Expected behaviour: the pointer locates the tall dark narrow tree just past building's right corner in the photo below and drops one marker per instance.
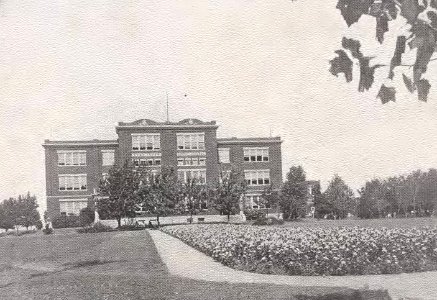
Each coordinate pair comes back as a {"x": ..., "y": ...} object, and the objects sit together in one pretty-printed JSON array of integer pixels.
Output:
[{"x": 293, "y": 194}]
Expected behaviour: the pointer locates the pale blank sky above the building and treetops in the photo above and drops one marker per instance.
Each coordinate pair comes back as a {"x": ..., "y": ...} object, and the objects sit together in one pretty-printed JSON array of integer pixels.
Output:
[{"x": 72, "y": 69}]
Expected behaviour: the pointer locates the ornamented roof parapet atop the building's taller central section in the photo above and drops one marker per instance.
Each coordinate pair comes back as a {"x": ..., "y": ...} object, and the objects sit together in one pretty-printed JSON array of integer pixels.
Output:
[{"x": 185, "y": 123}]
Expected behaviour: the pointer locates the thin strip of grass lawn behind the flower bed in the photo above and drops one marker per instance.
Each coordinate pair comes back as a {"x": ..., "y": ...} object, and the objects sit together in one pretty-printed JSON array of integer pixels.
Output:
[{"x": 375, "y": 223}]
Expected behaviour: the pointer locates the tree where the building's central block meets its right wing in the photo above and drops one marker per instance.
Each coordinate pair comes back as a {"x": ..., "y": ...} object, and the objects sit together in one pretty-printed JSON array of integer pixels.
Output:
[{"x": 230, "y": 189}]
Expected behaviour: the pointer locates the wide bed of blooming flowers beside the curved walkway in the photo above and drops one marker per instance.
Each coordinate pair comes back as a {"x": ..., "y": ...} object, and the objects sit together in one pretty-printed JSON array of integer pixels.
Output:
[{"x": 314, "y": 251}]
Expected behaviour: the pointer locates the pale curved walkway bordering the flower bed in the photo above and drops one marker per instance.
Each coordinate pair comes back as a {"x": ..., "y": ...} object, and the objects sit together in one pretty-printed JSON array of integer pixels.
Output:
[{"x": 185, "y": 261}]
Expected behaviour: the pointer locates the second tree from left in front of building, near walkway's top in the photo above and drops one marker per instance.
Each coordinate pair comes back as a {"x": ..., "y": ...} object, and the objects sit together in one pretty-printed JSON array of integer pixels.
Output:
[{"x": 161, "y": 193}]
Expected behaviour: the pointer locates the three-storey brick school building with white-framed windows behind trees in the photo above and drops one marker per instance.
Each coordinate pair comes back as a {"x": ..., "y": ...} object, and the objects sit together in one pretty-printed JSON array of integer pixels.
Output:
[{"x": 75, "y": 168}]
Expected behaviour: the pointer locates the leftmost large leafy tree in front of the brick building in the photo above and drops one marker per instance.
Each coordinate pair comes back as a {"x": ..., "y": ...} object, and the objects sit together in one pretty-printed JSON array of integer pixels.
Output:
[{"x": 118, "y": 192}]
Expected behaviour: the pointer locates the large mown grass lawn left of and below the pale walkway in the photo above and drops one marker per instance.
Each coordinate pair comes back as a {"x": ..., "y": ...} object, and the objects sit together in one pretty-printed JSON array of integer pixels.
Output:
[{"x": 118, "y": 265}]
